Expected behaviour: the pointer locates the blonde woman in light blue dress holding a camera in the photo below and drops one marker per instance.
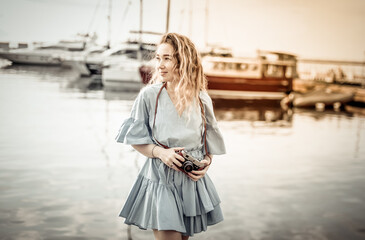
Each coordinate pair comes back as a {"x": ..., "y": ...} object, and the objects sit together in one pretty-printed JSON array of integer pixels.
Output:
[{"x": 173, "y": 113}]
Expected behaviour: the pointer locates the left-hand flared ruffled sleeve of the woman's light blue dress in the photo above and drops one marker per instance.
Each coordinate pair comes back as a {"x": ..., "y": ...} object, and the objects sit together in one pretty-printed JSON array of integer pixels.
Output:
[{"x": 135, "y": 129}]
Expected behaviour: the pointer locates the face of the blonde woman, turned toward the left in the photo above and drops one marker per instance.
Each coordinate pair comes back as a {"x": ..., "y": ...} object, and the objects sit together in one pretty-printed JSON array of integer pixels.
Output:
[{"x": 166, "y": 62}]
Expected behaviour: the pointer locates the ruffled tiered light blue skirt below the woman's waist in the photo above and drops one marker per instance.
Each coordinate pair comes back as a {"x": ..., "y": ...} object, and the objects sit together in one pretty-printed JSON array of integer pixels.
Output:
[{"x": 165, "y": 199}]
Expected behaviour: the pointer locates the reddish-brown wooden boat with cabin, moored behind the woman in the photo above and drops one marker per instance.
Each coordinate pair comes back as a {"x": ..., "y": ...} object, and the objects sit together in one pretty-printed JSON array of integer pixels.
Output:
[{"x": 268, "y": 76}]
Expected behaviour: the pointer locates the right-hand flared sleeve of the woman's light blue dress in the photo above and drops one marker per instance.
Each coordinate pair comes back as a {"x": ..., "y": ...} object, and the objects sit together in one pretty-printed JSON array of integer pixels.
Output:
[{"x": 215, "y": 142}]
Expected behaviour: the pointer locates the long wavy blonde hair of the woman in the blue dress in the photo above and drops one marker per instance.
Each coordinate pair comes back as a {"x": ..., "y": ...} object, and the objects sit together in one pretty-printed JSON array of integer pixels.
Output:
[{"x": 191, "y": 78}]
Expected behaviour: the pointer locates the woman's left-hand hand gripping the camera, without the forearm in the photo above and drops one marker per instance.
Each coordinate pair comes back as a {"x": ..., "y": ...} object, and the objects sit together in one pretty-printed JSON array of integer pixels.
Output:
[{"x": 170, "y": 157}]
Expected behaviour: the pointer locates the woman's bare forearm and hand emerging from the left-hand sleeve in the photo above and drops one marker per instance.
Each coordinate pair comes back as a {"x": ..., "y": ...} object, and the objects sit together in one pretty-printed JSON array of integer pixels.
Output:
[{"x": 167, "y": 156}]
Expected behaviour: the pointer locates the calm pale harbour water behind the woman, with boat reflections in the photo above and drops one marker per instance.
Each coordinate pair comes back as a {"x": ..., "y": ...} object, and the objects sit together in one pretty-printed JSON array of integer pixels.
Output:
[{"x": 287, "y": 174}]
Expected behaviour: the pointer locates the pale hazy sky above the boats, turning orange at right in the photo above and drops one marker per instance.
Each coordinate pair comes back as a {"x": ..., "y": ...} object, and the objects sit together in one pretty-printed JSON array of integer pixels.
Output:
[{"x": 325, "y": 29}]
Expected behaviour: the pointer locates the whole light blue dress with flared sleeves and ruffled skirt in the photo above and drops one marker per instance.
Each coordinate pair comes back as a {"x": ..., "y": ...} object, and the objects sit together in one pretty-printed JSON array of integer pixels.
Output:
[{"x": 161, "y": 197}]
